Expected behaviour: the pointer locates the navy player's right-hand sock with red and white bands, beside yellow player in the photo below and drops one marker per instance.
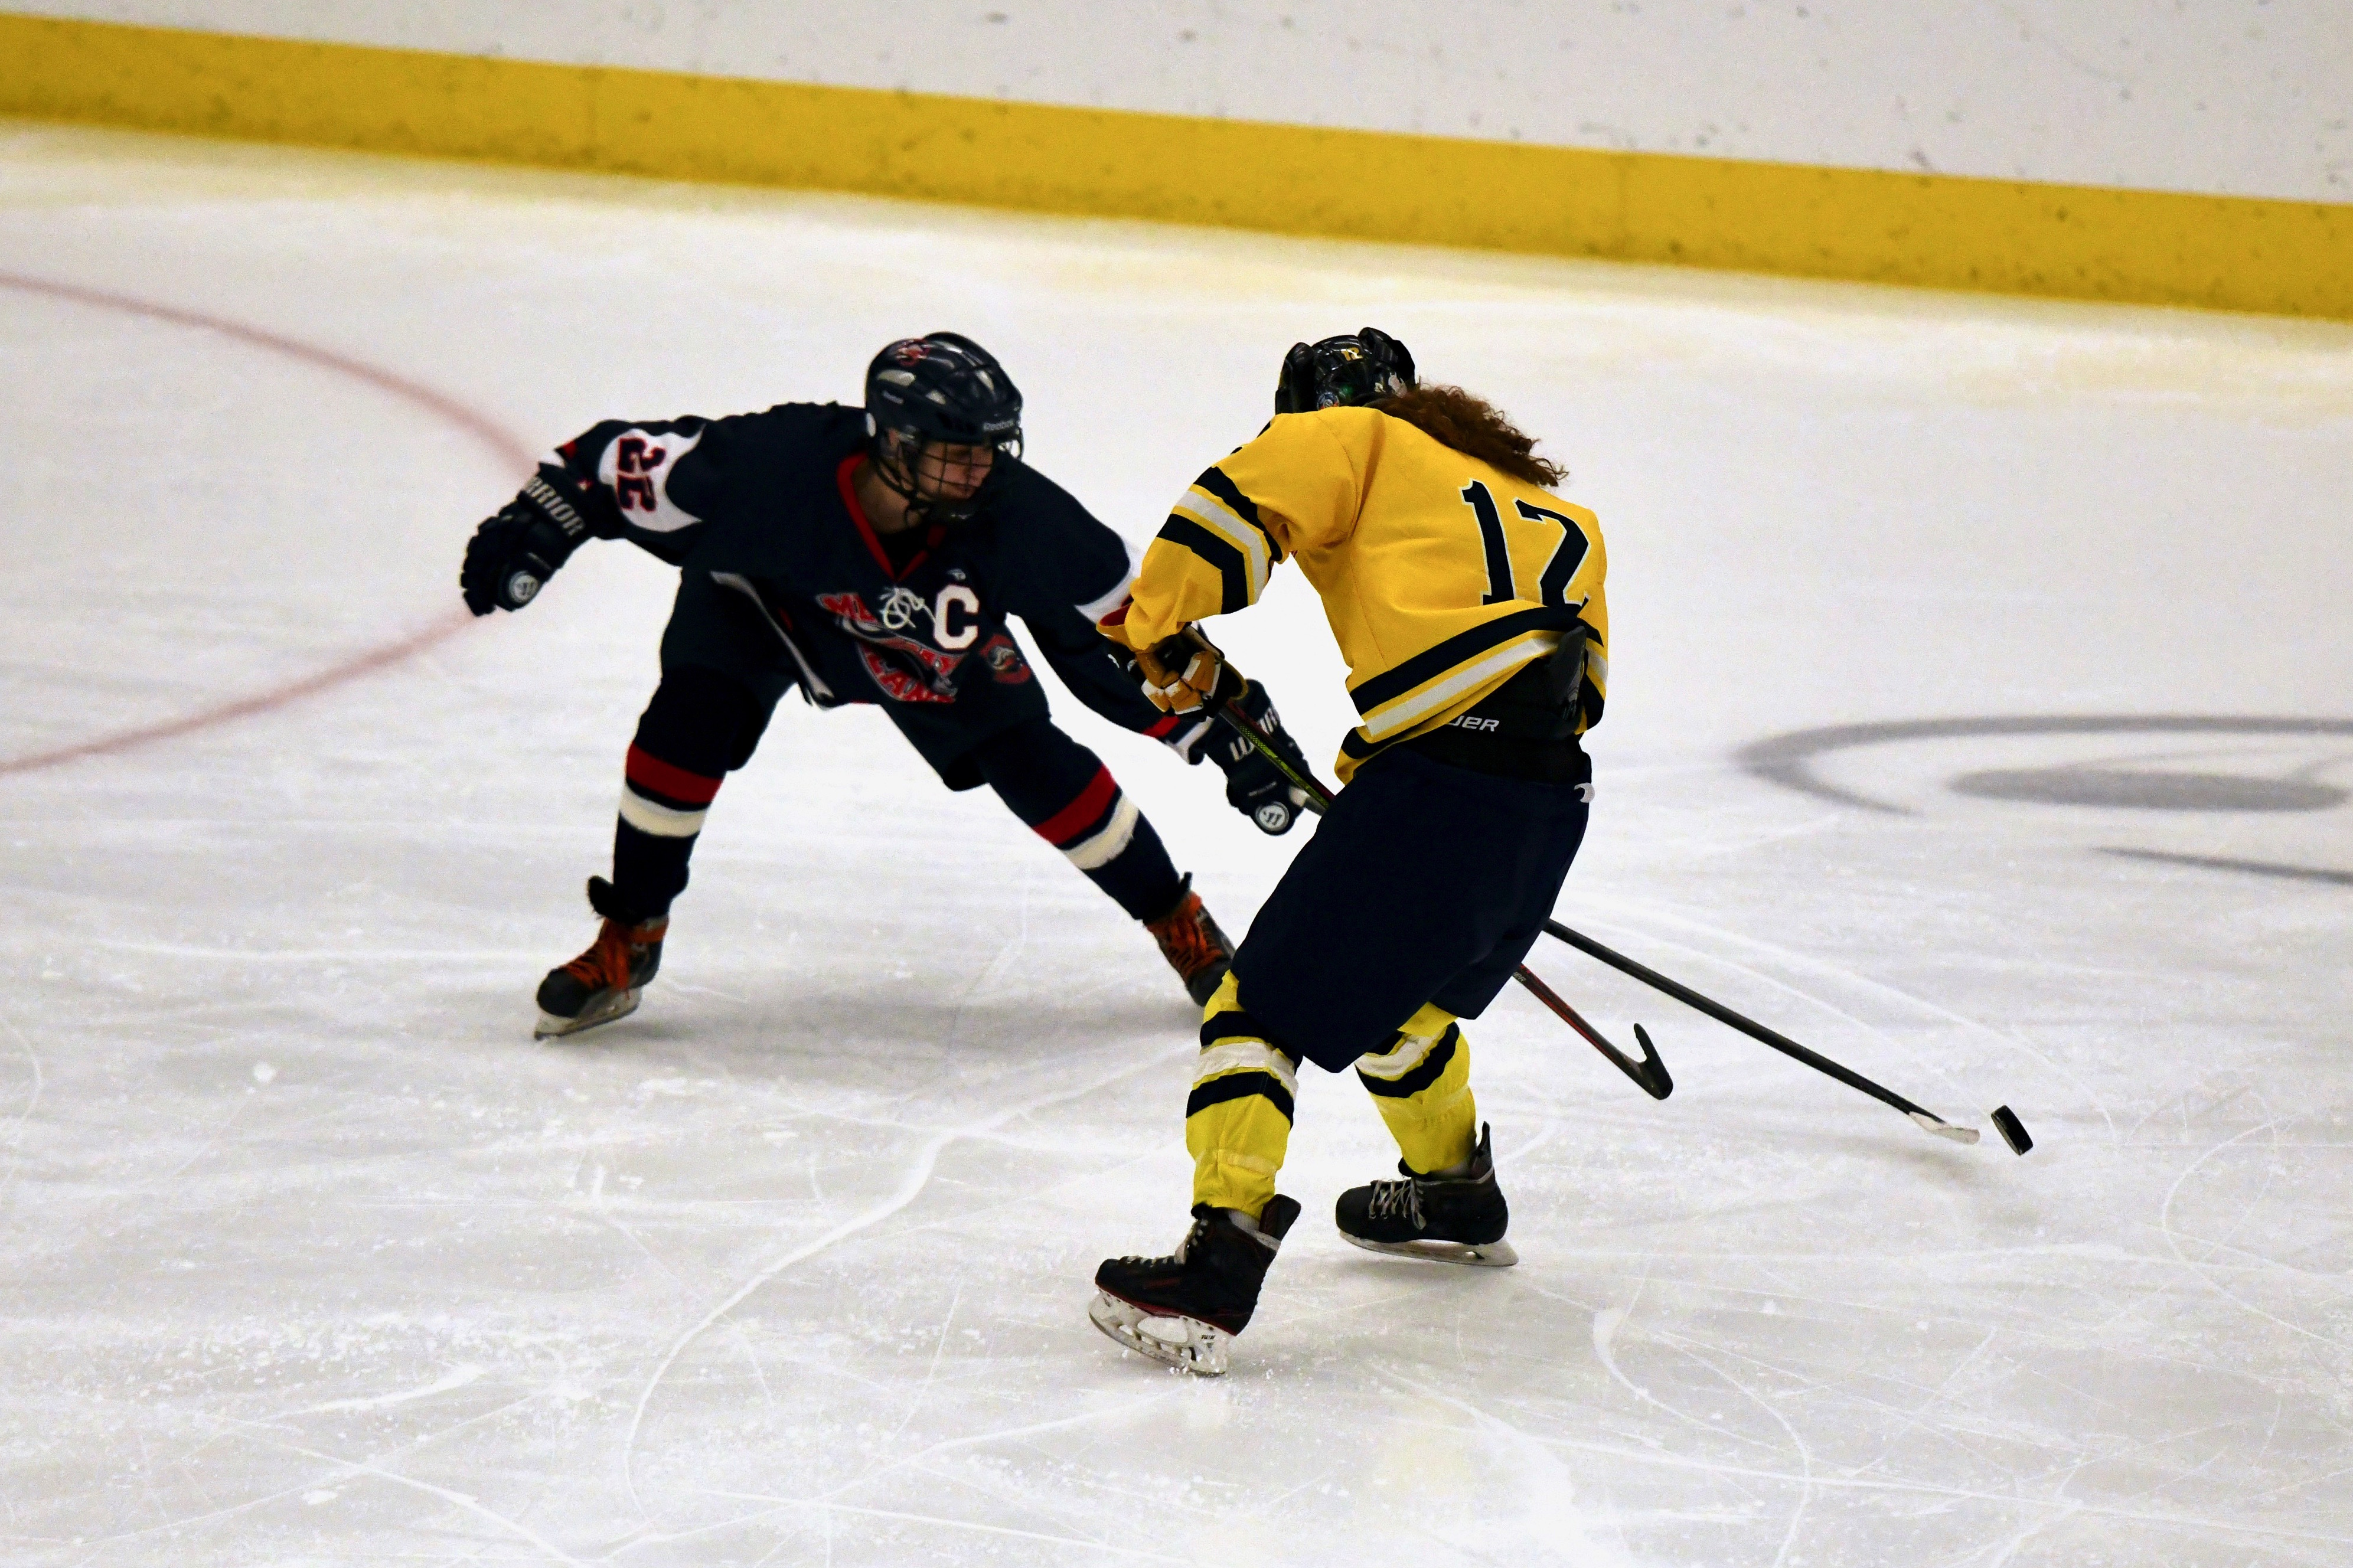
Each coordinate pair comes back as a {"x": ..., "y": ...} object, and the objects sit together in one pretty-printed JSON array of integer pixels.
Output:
[{"x": 1069, "y": 799}]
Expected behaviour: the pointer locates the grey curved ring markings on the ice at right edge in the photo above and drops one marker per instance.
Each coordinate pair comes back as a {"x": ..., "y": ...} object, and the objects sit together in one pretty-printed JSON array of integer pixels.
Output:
[{"x": 2133, "y": 783}]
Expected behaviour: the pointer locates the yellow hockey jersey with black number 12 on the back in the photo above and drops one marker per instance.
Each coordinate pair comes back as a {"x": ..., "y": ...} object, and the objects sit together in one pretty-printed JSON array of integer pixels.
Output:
[{"x": 1439, "y": 573}]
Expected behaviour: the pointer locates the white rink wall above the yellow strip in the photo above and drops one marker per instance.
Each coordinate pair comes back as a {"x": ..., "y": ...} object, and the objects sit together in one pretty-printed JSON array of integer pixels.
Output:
[{"x": 2225, "y": 98}]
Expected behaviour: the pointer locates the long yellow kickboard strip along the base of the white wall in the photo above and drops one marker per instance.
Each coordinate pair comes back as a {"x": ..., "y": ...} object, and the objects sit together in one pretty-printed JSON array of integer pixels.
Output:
[{"x": 1773, "y": 218}]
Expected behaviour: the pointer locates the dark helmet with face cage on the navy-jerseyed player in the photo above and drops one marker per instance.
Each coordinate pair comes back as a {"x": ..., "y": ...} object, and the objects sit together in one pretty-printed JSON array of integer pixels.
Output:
[{"x": 940, "y": 390}]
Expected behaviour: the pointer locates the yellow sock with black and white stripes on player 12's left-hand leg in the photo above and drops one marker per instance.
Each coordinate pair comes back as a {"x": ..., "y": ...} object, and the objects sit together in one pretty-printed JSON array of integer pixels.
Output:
[{"x": 1239, "y": 1119}]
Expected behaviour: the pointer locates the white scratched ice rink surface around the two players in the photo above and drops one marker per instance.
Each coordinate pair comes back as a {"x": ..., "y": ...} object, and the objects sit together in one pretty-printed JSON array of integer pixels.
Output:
[{"x": 312, "y": 1256}]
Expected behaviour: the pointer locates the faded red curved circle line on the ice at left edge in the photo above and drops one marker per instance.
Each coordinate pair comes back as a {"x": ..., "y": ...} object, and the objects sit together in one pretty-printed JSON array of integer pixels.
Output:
[{"x": 502, "y": 444}]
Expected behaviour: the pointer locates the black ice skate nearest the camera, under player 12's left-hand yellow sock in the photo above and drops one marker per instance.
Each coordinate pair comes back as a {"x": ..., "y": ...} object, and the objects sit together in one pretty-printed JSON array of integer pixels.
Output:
[{"x": 1187, "y": 1308}]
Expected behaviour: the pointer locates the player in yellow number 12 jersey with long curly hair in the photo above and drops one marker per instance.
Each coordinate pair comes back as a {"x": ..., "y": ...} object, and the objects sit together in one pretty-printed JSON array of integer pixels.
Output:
[{"x": 1469, "y": 604}]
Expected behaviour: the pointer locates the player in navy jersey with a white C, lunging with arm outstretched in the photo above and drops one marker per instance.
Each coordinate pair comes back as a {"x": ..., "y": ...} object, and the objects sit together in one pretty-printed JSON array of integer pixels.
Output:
[{"x": 860, "y": 557}]
